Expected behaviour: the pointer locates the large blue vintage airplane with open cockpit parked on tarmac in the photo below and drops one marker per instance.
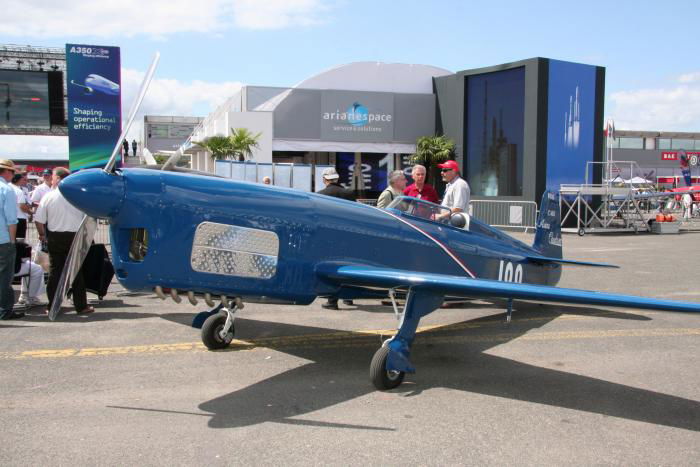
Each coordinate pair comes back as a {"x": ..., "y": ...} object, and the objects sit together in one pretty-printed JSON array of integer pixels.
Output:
[{"x": 206, "y": 236}]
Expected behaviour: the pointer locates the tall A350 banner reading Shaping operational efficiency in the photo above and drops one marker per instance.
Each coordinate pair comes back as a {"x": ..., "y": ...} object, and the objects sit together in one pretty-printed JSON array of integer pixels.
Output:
[{"x": 94, "y": 104}]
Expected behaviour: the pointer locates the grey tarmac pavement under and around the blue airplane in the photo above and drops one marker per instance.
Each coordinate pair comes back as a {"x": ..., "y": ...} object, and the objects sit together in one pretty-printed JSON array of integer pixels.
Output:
[{"x": 132, "y": 383}]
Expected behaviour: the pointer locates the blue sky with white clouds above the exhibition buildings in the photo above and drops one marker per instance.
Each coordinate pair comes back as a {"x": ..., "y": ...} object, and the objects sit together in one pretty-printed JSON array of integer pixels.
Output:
[{"x": 210, "y": 47}]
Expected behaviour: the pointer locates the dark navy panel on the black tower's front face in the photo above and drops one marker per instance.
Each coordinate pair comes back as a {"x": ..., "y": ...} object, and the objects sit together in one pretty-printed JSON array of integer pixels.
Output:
[{"x": 495, "y": 104}]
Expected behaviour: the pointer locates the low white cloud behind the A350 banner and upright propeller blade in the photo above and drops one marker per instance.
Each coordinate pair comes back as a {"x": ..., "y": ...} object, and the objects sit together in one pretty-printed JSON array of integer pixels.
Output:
[{"x": 164, "y": 97}]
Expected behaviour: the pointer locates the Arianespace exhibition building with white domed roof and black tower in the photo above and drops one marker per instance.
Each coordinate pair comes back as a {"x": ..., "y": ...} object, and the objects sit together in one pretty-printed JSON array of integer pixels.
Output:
[{"x": 519, "y": 127}]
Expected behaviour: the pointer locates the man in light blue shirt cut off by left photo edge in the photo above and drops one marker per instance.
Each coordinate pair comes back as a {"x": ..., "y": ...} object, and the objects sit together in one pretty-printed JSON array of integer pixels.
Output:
[{"x": 8, "y": 230}]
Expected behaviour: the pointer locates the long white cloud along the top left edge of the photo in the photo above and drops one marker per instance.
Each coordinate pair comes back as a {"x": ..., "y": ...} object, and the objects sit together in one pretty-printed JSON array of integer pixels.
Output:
[{"x": 154, "y": 18}]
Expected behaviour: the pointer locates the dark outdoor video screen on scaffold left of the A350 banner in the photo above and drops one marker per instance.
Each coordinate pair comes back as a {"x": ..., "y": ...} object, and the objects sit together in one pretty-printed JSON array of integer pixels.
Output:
[{"x": 24, "y": 99}]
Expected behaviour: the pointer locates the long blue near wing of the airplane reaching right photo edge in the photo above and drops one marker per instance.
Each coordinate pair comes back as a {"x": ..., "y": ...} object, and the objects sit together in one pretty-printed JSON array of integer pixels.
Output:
[{"x": 467, "y": 287}]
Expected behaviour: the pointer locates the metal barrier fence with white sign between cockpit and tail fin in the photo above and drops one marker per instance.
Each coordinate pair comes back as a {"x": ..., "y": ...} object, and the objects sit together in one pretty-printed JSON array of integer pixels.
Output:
[{"x": 509, "y": 214}]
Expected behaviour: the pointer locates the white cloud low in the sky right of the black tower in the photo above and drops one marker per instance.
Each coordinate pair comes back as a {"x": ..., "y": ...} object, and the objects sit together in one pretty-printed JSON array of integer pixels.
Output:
[{"x": 673, "y": 108}]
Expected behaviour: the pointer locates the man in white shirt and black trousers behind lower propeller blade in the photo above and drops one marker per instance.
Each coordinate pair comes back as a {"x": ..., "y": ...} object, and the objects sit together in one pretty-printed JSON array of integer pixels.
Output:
[{"x": 57, "y": 221}]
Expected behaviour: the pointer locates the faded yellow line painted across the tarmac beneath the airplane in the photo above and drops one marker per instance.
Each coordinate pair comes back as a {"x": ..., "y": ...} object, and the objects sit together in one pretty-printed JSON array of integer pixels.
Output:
[{"x": 347, "y": 339}]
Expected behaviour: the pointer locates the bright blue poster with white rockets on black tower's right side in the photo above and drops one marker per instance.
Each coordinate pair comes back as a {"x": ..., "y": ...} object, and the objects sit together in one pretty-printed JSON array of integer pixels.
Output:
[{"x": 570, "y": 118}]
